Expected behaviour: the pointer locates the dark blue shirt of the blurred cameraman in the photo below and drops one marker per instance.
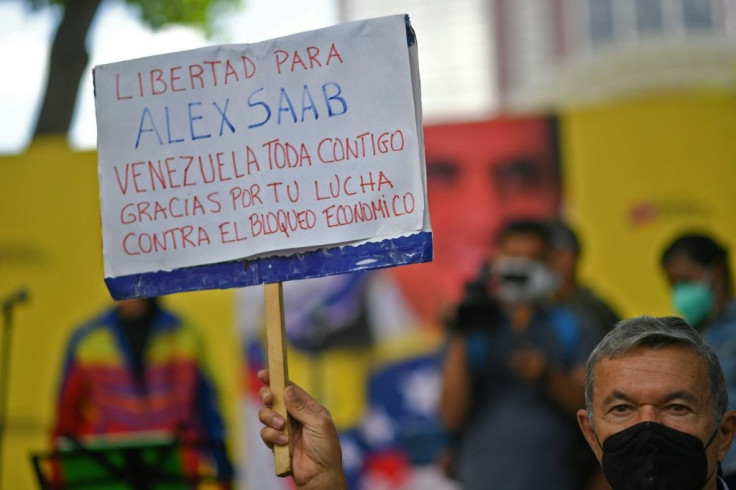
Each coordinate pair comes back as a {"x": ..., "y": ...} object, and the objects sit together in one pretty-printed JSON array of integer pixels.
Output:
[{"x": 517, "y": 438}]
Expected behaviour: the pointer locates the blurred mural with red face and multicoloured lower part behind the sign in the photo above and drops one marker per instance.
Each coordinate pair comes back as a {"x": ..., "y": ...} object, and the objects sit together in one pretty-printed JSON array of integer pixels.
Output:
[{"x": 480, "y": 175}]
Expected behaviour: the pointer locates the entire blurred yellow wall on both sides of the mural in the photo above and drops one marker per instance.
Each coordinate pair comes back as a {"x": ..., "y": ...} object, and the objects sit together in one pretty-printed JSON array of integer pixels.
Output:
[{"x": 671, "y": 155}]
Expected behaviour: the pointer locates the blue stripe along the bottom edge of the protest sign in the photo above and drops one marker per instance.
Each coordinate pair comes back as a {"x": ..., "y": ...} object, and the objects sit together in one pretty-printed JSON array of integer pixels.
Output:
[{"x": 404, "y": 250}]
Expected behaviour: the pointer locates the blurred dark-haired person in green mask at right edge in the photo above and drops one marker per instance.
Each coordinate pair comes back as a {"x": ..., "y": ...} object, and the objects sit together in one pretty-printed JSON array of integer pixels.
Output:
[{"x": 698, "y": 272}]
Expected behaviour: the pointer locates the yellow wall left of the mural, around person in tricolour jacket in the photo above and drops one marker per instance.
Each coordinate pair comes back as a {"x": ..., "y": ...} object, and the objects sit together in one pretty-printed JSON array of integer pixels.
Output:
[{"x": 50, "y": 243}]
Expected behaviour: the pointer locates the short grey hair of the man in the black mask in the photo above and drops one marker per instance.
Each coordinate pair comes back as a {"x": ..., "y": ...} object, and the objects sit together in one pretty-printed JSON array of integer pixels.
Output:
[{"x": 655, "y": 333}]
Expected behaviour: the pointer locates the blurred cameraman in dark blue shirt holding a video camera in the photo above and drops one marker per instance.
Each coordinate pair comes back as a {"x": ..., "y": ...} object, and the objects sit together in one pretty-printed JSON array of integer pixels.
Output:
[{"x": 514, "y": 371}]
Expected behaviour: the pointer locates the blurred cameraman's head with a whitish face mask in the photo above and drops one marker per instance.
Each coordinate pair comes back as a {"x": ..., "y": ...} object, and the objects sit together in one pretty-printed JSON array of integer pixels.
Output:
[{"x": 519, "y": 273}]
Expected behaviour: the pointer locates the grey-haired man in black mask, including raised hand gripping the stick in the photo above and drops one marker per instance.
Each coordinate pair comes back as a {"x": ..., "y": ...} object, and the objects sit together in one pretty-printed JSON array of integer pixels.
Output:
[{"x": 656, "y": 413}]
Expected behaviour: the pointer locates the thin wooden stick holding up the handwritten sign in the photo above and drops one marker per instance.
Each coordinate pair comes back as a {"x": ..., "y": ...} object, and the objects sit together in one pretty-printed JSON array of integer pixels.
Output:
[{"x": 277, "y": 368}]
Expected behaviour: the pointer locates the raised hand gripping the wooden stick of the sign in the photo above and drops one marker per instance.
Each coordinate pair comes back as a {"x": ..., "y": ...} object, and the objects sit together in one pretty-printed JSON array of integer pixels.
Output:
[{"x": 316, "y": 460}]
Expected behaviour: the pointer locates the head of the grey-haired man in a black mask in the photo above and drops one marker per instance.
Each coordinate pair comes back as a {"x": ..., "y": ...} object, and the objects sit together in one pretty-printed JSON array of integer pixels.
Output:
[{"x": 653, "y": 389}]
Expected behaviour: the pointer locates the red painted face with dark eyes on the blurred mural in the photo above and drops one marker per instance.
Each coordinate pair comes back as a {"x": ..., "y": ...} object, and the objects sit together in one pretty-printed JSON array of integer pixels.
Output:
[{"x": 479, "y": 177}]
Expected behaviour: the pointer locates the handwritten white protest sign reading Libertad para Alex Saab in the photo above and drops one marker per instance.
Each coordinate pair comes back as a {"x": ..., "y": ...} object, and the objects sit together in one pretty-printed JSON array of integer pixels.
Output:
[{"x": 236, "y": 165}]
